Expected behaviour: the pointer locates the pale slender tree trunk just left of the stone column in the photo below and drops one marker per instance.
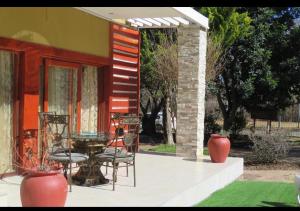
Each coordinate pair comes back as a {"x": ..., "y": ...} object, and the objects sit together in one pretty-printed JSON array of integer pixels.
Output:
[{"x": 168, "y": 123}]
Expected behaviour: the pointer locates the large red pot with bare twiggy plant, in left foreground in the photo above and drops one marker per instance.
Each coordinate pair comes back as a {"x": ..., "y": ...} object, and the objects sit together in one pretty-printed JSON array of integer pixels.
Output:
[{"x": 43, "y": 184}]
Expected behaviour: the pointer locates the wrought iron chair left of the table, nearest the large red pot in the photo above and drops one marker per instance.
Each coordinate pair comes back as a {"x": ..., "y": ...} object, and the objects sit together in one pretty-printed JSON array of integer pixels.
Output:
[{"x": 57, "y": 144}]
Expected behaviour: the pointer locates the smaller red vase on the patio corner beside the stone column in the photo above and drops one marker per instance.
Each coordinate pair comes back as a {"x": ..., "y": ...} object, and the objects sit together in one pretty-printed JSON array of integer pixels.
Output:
[{"x": 218, "y": 148}]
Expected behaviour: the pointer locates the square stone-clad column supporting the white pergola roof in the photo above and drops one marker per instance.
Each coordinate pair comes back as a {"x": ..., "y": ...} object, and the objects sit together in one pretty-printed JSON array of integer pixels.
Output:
[{"x": 192, "y": 42}]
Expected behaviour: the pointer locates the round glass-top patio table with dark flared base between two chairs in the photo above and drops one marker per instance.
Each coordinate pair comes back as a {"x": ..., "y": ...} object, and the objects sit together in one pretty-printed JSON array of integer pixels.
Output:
[{"x": 90, "y": 143}]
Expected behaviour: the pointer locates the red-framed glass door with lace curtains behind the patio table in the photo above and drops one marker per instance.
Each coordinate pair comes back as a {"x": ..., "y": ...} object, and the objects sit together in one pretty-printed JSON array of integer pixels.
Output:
[{"x": 74, "y": 89}]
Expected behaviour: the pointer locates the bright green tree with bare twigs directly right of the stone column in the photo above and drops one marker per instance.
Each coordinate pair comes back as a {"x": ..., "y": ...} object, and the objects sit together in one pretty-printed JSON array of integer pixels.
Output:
[{"x": 227, "y": 25}]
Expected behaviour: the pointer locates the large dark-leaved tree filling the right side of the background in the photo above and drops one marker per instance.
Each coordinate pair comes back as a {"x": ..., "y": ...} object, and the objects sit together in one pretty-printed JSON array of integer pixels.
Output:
[{"x": 261, "y": 71}]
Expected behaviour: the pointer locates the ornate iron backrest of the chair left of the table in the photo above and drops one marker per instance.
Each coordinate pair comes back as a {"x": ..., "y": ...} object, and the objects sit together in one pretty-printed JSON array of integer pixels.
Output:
[{"x": 55, "y": 132}]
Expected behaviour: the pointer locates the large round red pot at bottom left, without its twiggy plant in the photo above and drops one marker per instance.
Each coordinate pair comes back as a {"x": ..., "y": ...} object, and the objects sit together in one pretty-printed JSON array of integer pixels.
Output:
[{"x": 44, "y": 189}]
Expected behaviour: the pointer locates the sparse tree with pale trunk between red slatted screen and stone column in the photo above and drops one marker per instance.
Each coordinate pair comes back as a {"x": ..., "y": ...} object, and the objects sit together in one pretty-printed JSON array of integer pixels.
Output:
[{"x": 159, "y": 79}]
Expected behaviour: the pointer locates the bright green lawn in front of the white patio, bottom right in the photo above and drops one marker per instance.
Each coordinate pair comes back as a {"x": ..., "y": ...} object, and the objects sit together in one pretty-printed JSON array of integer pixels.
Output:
[{"x": 253, "y": 194}]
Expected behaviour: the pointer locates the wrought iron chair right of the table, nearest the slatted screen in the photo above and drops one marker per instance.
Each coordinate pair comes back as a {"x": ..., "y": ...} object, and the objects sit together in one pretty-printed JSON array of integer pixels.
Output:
[{"x": 126, "y": 132}]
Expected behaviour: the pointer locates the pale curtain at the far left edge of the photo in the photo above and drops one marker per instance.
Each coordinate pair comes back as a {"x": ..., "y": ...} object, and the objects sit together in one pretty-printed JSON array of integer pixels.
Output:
[{"x": 6, "y": 111}]
